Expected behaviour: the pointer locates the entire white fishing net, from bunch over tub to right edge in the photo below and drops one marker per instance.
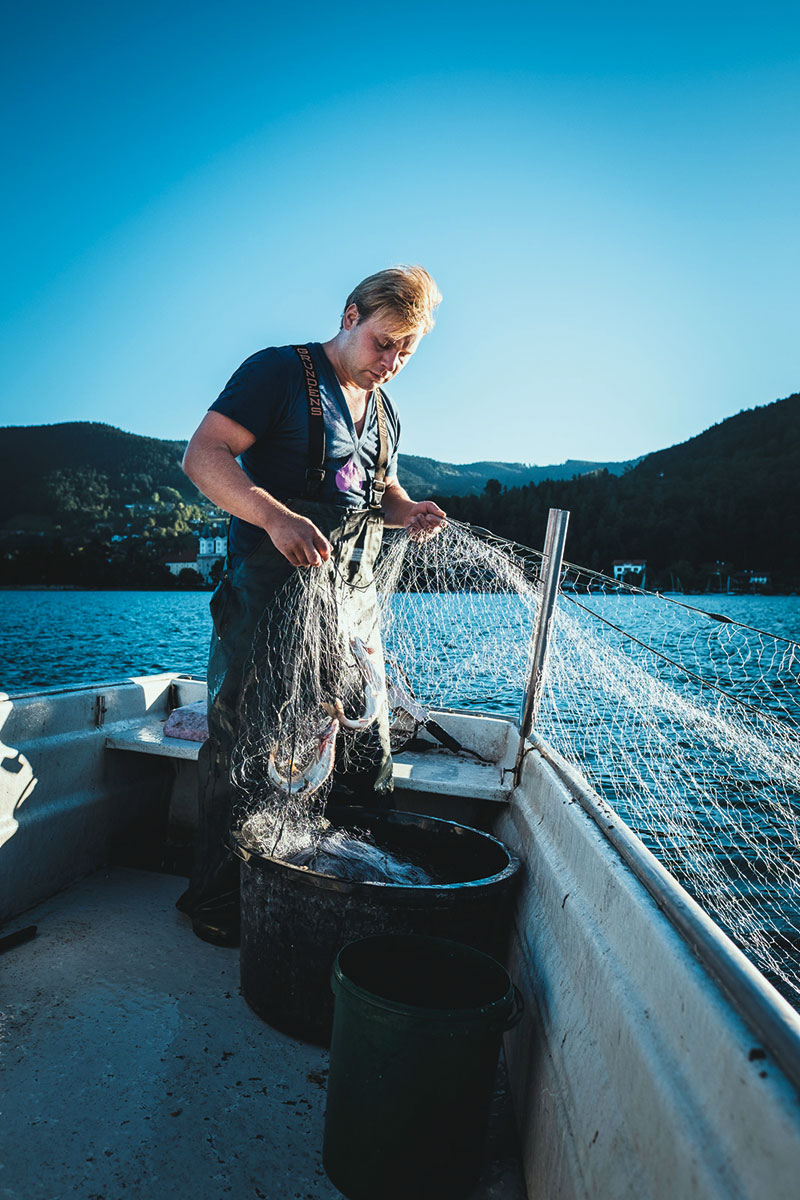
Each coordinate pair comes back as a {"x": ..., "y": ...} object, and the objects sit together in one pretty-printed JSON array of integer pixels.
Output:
[{"x": 687, "y": 723}]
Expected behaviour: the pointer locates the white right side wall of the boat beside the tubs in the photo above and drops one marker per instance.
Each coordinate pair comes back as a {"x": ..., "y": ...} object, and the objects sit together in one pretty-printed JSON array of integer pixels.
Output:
[{"x": 633, "y": 1075}]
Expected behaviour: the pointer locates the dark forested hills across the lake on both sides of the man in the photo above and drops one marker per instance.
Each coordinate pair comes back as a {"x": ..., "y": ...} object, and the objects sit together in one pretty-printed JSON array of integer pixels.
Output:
[{"x": 730, "y": 496}]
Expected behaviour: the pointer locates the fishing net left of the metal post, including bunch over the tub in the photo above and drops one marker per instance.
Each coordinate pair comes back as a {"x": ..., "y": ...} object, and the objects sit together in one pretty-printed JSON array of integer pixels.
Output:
[{"x": 444, "y": 622}]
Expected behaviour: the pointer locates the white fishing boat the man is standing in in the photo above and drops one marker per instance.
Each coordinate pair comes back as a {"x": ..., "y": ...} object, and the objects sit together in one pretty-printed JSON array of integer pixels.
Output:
[{"x": 653, "y": 1060}]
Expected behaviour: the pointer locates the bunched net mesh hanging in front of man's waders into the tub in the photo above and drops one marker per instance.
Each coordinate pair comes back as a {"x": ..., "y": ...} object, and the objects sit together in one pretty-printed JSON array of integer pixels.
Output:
[{"x": 303, "y": 663}]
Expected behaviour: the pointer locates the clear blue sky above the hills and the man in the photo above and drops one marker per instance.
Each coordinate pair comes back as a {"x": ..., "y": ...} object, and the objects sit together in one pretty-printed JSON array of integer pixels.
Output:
[{"x": 607, "y": 196}]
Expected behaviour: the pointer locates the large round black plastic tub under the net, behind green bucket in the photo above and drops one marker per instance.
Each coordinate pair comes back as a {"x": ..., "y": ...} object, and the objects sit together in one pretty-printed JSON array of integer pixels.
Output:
[{"x": 294, "y": 921}]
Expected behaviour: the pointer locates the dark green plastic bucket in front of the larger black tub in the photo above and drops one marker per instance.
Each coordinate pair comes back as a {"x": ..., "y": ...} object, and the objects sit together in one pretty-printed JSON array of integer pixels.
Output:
[{"x": 418, "y": 1024}]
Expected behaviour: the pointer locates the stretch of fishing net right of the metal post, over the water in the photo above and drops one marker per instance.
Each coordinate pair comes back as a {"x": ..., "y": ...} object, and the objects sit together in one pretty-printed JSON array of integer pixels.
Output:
[{"x": 689, "y": 724}]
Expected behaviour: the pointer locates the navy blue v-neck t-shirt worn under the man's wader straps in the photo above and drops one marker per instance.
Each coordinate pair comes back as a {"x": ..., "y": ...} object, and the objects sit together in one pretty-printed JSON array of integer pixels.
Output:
[{"x": 268, "y": 397}]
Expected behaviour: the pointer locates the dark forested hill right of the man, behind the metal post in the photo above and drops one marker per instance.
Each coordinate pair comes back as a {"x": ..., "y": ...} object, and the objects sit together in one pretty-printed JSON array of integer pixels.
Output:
[{"x": 730, "y": 496}]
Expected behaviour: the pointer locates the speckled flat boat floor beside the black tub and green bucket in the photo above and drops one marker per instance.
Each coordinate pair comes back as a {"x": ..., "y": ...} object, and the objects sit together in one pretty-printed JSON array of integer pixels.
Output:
[{"x": 134, "y": 1067}]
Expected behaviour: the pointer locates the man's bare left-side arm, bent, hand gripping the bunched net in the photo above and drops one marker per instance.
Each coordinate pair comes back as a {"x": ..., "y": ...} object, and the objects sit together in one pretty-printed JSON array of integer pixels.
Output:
[{"x": 210, "y": 463}]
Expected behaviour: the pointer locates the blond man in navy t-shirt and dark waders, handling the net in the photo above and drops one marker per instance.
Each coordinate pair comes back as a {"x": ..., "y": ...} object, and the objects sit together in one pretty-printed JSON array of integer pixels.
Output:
[{"x": 302, "y": 449}]
